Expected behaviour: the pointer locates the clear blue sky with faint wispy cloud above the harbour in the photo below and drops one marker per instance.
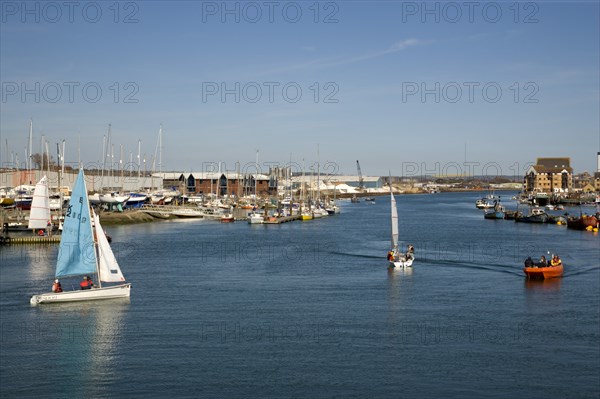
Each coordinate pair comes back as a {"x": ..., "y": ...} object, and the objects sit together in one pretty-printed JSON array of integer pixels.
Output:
[{"x": 397, "y": 89}]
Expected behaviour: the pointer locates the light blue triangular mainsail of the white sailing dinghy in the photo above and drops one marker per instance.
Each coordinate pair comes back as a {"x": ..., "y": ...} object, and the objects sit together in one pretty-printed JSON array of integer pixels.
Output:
[{"x": 77, "y": 254}]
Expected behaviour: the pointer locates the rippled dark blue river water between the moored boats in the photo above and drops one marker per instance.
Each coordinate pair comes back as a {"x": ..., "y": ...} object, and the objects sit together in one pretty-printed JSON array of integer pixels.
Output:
[{"x": 310, "y": 309}]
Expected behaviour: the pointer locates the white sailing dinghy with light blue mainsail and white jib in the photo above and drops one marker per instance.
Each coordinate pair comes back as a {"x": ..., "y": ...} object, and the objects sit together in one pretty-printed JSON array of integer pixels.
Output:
[{"x": 84, "y": 250}]
